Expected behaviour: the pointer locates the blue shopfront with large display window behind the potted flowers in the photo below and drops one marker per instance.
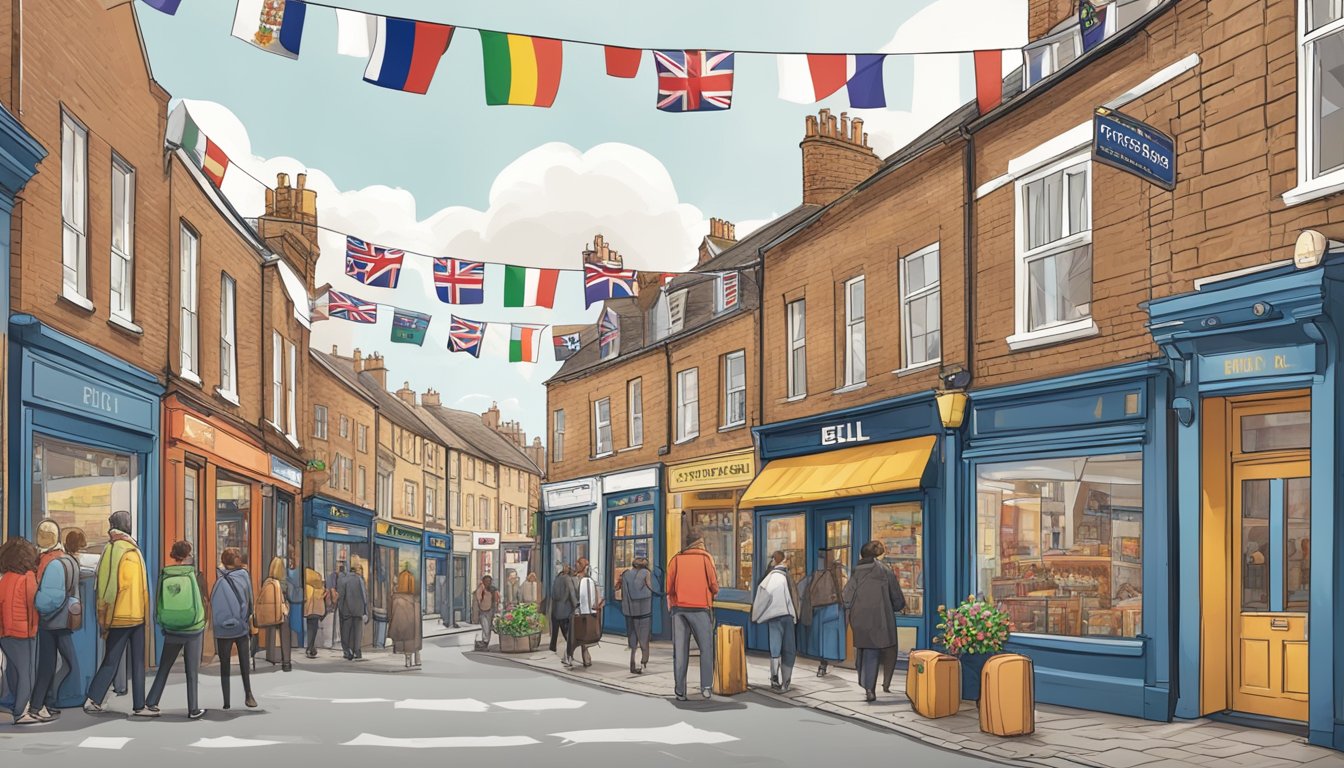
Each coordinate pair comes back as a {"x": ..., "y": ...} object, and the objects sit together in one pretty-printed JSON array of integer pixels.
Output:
[{"x": 1066, "y": 485}]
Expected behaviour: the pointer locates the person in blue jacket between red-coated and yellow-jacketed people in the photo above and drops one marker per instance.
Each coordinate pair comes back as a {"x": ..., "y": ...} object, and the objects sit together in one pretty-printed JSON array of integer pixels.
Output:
[{"x": 58, "y": 598}]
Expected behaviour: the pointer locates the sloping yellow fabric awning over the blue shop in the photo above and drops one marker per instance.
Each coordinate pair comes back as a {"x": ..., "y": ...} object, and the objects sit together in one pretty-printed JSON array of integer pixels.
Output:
[{"x": 864, "y": 471}]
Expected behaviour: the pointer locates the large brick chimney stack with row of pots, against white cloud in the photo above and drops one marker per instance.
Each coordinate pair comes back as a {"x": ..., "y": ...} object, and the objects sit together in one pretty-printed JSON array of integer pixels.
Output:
[{"x": 835, "y": 157}]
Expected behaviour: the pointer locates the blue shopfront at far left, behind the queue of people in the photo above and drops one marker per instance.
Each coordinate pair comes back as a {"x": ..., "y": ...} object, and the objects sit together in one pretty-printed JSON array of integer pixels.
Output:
[{"x": 84, "y": 438}]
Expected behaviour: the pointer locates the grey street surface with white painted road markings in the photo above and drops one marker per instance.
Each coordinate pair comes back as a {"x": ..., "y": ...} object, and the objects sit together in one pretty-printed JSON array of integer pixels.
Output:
[{"x": 476, "y": 711}]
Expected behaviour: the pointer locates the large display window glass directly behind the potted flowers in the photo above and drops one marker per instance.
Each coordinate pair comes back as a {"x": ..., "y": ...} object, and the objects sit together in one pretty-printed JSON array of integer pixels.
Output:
[{"x": 1061, "y": 544}]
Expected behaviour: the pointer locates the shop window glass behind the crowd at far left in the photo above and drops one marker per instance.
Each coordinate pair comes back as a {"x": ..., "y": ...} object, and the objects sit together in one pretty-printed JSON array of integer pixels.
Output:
[{"x": 81, "y": 488}]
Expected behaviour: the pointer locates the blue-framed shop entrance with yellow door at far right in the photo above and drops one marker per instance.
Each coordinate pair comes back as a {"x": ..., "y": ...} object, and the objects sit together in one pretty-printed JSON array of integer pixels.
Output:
[{"x": 1259, "y": 423}]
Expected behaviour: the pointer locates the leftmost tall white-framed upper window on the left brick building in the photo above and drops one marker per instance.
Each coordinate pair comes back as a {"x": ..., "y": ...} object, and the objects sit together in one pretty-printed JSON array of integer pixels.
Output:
[{"x": 75, "y": 205}]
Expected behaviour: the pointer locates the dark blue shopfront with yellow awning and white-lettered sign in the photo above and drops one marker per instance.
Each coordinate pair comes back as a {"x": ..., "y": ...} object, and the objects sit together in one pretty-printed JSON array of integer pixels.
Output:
[{"x": 837, "y": 481}]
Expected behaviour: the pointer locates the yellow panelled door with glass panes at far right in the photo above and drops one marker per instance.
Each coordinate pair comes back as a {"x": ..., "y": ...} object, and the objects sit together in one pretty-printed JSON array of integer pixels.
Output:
[{"x": 1271, "y": 582}]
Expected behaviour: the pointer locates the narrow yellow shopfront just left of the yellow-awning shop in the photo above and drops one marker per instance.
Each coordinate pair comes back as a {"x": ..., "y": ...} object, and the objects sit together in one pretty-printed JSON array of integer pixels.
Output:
[{"x": 705, "y": 496}]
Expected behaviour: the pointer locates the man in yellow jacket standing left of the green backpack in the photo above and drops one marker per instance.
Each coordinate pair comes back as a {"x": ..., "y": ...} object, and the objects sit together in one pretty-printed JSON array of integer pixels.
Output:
[{"x": 122, "y": 609}]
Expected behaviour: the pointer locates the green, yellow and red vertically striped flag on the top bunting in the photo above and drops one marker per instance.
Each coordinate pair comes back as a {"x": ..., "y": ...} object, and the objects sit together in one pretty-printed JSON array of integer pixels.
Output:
[{"x": 521, "y": 71}]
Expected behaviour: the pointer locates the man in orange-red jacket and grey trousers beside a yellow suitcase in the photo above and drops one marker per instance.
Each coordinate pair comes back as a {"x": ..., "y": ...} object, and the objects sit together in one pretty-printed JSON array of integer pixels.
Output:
[{"x": 691, "y": 587}]
